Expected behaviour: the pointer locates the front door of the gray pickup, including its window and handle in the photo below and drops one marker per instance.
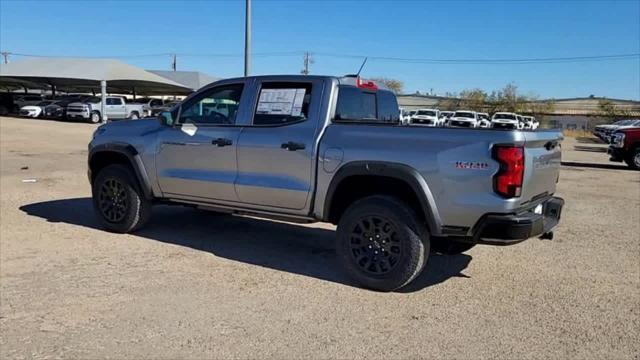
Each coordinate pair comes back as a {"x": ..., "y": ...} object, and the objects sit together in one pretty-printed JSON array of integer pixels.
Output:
[{"x": 197, "y": 157}]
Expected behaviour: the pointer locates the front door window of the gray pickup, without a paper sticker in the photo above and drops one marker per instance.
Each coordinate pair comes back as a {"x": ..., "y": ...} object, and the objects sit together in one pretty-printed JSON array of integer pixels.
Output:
[{"x": 216, "y": 106}]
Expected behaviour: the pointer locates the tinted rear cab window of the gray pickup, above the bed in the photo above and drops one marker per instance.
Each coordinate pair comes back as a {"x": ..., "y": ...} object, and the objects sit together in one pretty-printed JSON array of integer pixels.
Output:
[{"x": 358, "y": 105}]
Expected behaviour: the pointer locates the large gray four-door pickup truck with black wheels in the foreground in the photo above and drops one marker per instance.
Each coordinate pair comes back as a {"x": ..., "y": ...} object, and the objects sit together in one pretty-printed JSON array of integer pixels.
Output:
[{"x": 331, "y": 149}]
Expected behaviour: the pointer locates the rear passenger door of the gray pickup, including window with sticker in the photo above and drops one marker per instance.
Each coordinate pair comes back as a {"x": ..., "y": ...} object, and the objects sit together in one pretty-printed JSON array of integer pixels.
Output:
[{"x": 276, "y": 149}]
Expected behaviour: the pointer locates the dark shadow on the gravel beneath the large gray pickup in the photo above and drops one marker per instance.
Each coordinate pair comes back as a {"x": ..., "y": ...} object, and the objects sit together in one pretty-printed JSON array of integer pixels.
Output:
[{"x": 293, "y": 248}]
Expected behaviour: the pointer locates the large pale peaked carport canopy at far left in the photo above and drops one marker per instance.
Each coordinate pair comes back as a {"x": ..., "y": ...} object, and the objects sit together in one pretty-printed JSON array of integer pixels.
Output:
[{"x": 77, "y": 74}]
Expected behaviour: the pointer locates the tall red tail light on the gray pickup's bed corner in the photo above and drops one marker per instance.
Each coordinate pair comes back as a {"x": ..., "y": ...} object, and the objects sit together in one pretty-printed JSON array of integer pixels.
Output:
[{"x": 508, "y": 181}]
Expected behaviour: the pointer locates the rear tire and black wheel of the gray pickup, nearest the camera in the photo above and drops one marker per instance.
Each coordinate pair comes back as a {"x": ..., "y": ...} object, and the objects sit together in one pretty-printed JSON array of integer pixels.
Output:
[{"x": 386, "y": 229}]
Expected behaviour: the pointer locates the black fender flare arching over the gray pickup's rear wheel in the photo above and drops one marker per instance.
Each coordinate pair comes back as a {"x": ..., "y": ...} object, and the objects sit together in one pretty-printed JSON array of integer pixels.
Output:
[{"x": 397, "y": 171}]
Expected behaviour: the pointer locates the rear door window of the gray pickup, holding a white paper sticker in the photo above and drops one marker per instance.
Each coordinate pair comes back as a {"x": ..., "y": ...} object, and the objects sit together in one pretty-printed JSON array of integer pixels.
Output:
[{"x": 282, "y": 104}]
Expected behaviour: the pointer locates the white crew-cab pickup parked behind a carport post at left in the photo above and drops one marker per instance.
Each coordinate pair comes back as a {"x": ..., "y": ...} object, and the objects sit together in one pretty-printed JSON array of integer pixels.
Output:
[{"x": 116, "y": 107}]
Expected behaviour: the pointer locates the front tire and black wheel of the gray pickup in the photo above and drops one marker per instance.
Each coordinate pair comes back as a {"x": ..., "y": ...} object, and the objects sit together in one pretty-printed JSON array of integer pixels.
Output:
[{"x": 125, "y": 212}]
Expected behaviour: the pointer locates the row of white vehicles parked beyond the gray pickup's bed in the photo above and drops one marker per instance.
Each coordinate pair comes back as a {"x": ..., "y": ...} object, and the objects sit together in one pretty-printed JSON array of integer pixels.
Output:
[{"x": 468, "y": 119}]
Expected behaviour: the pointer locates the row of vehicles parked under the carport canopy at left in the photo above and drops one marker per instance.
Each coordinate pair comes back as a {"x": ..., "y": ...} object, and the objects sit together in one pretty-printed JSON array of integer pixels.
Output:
[{"x": 82, "y": 107}]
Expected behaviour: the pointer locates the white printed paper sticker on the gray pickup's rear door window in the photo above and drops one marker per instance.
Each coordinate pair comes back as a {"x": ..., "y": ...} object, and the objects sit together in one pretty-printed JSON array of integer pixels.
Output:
[{"x": 281, "y": 102}]
